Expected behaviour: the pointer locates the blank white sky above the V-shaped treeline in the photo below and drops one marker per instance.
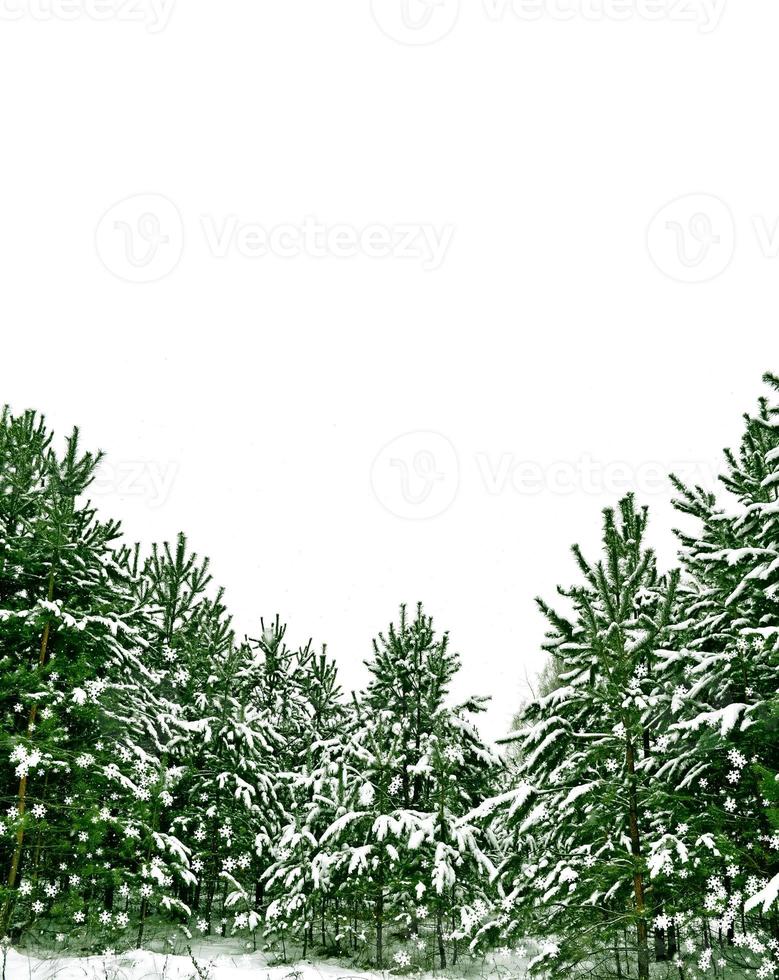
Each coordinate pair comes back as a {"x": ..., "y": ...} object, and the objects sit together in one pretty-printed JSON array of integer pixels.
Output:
[{"x": 262, "y": 388}]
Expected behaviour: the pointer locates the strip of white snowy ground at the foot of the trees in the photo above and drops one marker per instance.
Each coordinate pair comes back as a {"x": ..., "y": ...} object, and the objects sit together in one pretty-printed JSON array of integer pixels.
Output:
[{"x": 216, "y": 963}]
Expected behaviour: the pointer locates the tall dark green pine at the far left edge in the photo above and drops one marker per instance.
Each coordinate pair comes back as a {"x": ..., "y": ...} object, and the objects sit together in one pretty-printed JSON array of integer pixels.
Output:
[{"x": 67, "y": 617}]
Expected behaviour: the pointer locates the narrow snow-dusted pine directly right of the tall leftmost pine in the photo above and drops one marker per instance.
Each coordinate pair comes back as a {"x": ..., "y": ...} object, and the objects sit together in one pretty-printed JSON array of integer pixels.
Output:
[{"x": 153, "y": 734}]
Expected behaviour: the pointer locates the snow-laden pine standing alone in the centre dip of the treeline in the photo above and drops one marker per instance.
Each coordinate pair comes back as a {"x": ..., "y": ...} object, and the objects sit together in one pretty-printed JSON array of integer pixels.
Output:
[{"x": 414, "y": 769}]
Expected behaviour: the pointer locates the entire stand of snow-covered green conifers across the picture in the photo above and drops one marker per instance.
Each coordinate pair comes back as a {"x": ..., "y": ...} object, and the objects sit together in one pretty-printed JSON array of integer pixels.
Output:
[{"x": 163, "y": 778}]
